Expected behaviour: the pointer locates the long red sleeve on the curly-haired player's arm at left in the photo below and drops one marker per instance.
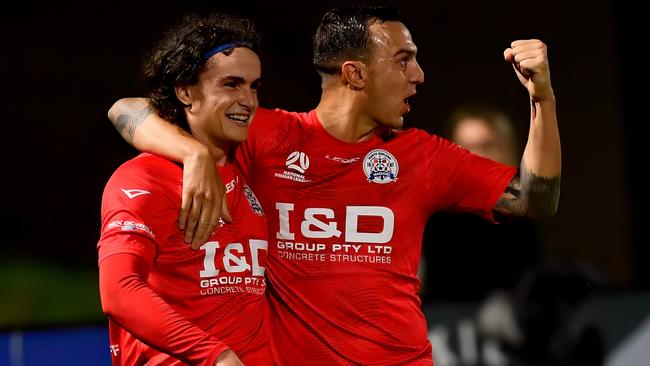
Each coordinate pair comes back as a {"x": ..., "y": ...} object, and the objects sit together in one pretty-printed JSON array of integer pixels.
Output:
[{"x": 138, "y": 215}]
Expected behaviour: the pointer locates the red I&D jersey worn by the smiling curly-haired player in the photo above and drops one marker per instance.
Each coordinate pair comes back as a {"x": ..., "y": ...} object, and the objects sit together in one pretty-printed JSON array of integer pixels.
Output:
[{"x": 188, "y": 306}]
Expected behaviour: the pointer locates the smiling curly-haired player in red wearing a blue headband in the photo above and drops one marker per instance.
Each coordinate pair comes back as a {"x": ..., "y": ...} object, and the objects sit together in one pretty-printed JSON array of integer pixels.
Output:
[{"x": 167, "y": 304}]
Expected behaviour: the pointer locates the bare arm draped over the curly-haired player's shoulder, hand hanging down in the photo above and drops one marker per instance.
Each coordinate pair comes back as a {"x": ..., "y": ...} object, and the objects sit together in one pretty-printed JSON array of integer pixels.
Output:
[{"x": 203, "y": 200}]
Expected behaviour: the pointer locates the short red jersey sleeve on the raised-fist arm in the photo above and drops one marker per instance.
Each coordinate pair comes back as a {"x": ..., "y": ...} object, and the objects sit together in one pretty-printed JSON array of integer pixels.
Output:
[{"x": 466, "y": 182}]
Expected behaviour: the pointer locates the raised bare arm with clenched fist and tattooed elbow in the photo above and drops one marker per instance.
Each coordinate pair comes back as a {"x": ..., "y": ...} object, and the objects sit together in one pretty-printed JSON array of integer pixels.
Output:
[{"x": 536, "y": 189}]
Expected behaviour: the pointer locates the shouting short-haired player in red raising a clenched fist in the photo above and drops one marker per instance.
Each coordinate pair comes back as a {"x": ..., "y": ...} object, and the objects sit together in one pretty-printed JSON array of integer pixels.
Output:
[{"x": 348, "y": 192}]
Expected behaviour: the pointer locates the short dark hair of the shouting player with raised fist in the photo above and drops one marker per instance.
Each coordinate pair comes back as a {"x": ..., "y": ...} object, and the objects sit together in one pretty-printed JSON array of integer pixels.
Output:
[{"x": 343, "y": 35}]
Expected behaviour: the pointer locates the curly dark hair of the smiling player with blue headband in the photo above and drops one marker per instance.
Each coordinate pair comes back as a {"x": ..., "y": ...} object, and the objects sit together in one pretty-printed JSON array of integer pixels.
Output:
[{"x": 180, "y": 55}]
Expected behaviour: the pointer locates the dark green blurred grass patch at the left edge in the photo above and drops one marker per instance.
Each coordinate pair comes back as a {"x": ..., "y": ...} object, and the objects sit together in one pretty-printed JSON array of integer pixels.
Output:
[{"x": 45, "y": 294}]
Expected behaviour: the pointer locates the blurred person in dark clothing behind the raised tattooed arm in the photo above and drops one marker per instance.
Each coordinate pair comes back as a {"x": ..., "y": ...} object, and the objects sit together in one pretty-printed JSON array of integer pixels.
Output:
[{"x": 466, "y": 256}]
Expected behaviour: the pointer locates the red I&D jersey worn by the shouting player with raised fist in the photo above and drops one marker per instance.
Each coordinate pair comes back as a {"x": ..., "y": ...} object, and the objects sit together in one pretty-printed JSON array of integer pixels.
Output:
[{"x": 345, "y": 227}]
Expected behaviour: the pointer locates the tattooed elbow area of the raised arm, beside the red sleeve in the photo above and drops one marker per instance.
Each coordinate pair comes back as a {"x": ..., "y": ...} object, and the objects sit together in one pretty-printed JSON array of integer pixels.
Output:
[{"x": 530, "y": 195}]
